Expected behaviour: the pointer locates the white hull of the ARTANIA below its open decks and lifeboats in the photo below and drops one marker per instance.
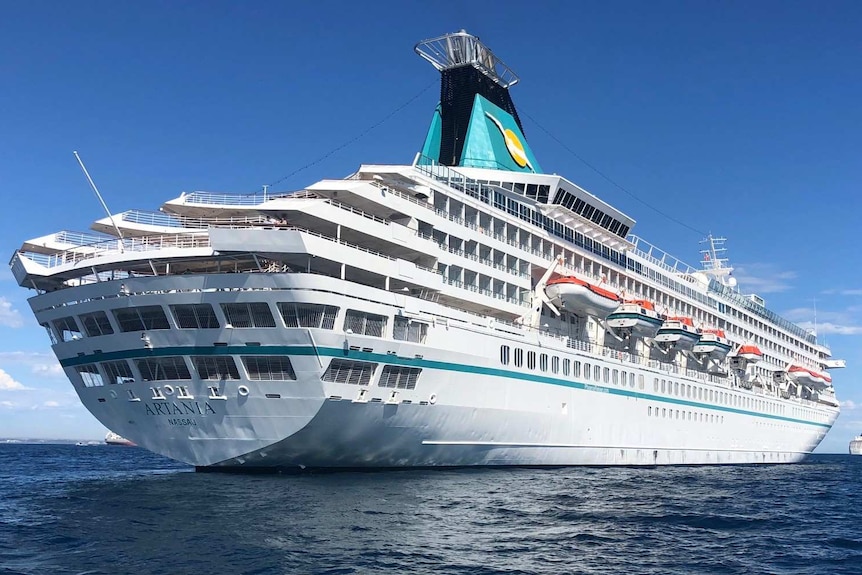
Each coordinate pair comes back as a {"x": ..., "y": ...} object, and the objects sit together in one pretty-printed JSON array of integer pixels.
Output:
[{"x": 466, "y": 408}]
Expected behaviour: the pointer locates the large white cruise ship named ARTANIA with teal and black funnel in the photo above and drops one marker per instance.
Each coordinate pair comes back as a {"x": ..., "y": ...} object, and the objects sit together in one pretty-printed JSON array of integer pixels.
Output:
[{"x": 465, "y": 309}]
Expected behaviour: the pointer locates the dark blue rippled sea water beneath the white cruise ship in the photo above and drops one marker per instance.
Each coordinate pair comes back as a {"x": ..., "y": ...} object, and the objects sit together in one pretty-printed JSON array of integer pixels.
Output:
[{"x": 67, "y": 509}]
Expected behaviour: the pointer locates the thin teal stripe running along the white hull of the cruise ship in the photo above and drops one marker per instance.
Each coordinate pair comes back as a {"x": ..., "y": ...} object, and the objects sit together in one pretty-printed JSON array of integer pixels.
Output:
[{"x": 408, "y": 361}]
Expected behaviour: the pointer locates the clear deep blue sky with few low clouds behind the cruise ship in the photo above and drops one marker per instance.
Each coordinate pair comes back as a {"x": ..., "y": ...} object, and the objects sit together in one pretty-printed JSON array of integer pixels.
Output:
[{"x": 737, "y": 118}]
